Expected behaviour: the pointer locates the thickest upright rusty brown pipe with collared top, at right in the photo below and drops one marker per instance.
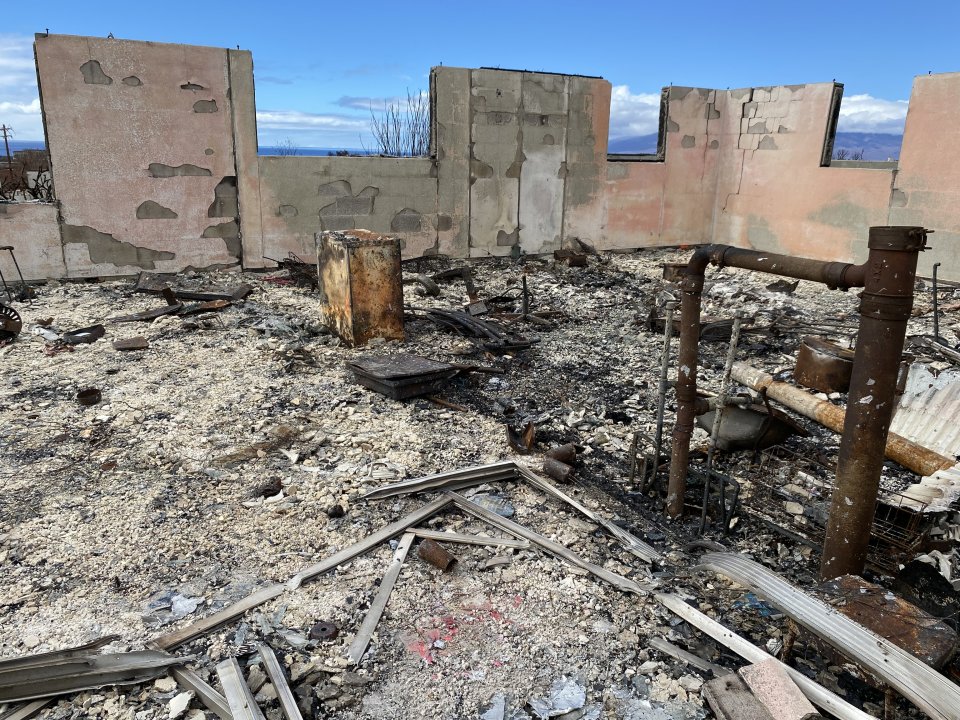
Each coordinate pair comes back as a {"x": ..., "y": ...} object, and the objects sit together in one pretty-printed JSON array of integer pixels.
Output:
[{"x": 885, "y": 306}]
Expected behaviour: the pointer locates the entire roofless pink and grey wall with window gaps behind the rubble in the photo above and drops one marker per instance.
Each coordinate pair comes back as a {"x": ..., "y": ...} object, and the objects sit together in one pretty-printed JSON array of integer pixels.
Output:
[{"x": 155, "y": 165}]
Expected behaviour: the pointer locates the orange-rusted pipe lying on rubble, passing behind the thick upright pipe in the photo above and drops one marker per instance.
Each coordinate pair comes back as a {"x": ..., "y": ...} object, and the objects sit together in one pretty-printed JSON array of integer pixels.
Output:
[{"x": 911, "y": 455}]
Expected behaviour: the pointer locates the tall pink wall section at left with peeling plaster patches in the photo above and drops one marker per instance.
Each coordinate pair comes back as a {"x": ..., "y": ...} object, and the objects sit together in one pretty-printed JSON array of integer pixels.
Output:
[{"x": 141, "y": 139}]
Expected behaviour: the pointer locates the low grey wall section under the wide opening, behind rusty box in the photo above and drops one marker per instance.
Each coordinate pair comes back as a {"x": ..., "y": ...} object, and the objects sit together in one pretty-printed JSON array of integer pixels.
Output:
[{"x": 302, "y": 195}]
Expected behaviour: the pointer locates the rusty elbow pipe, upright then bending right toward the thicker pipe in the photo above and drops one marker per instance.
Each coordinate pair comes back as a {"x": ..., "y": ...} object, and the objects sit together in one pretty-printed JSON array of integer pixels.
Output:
[{"x": 835, "y": 275}]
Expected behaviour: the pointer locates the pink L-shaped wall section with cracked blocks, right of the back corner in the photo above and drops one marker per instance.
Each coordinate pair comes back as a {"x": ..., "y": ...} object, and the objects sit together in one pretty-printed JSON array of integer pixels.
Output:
[{"x": 772, "y": 193}]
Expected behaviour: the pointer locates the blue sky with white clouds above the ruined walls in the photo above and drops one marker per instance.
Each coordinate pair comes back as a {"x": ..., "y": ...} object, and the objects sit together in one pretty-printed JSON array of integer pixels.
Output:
[{"x": 319, "y": 66}]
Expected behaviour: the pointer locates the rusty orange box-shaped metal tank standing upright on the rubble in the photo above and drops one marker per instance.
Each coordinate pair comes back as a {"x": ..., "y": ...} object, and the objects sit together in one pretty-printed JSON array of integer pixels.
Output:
[{"x": 361, "y": 287}]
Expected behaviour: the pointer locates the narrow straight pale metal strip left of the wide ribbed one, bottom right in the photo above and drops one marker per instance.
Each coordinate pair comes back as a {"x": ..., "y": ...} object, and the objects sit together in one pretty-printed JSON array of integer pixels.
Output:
[{"x": 816, "y": 693}]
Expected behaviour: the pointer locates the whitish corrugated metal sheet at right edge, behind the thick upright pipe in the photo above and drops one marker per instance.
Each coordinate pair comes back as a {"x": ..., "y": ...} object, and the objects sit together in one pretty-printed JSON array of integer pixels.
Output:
[{"x": 929, "y": 410}]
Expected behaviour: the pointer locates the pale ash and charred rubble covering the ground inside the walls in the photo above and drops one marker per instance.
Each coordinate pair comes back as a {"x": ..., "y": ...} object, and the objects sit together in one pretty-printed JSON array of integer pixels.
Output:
[{"x": 235, "y": 464}]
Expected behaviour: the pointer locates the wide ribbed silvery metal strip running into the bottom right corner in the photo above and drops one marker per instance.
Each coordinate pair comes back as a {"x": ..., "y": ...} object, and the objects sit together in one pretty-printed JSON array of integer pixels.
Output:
[{"x": 911, "y": 677}]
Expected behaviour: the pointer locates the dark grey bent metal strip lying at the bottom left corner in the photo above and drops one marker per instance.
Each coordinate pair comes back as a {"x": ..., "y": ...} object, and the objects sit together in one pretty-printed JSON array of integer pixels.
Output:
[{"x": 96, "y": 671}]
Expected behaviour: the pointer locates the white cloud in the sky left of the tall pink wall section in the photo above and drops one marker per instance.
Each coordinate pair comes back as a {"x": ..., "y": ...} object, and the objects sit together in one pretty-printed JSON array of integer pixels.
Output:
[{"x": 20, "y": 103}]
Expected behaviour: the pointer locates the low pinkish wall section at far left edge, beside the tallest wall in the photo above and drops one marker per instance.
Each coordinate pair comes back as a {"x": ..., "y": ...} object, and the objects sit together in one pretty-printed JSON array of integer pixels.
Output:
[{"x": 33, "y": 232}]
